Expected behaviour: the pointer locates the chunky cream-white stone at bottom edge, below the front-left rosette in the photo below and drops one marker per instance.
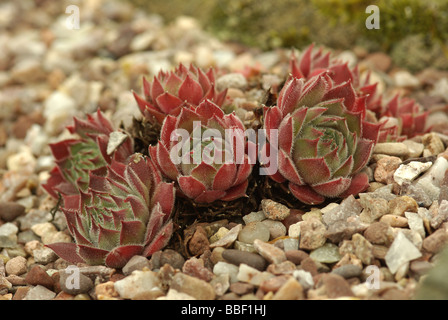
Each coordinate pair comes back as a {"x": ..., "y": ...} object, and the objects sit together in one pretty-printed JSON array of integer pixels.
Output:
[{"x": 139, "y": 285}]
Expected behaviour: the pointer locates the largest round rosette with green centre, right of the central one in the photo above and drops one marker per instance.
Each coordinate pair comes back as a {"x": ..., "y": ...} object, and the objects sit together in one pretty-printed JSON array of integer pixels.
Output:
[{"x": 323, "y": 140}]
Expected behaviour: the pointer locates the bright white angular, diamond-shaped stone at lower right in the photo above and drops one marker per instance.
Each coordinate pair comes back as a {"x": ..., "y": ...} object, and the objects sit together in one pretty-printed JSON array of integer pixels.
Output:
[{"x": 400, "y": 252}]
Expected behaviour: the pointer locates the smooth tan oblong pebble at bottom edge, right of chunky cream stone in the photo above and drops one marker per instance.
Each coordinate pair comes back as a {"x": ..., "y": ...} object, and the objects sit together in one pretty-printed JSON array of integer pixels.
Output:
[{"x": 192, "y": 286}]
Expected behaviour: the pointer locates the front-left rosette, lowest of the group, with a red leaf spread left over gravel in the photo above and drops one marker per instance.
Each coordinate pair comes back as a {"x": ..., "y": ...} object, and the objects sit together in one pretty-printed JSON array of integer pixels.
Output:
[{"x": 123, "y": 214}]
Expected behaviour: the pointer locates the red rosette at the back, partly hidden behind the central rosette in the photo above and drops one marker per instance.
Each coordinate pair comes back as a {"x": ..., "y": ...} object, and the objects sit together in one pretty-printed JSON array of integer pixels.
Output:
[{"x": 170, "y": 91}]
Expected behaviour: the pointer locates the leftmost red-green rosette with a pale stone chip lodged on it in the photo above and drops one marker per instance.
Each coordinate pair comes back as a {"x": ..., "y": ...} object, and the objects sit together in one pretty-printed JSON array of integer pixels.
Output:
[{"x": 76, "y": 158}]
